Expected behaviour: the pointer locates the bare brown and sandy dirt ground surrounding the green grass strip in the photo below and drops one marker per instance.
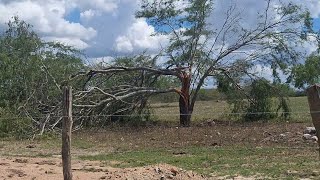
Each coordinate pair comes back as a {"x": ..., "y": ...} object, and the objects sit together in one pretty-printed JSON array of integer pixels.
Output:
[{"x": 17, "y": 160}]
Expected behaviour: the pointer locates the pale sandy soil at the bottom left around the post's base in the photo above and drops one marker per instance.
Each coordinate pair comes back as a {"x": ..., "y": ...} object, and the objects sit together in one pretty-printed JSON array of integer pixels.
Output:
[{"x": 51, "y": 169}]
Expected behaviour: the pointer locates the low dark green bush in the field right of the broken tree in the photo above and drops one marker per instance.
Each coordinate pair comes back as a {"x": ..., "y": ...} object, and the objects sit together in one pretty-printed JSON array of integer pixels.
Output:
[{"x": 259, "y": 100}]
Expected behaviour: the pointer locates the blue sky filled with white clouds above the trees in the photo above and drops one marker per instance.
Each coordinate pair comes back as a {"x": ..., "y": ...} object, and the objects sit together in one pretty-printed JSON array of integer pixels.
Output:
[{"x": 104, "y": 28}]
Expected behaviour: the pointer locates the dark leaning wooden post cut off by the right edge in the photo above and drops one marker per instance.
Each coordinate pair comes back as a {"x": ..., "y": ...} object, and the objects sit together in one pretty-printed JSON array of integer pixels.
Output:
[{"x": 313, "y": 93}]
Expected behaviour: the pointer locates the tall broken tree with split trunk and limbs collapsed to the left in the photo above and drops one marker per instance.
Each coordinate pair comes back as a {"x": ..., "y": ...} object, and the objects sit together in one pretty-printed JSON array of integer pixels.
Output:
[{"x": 197, "y": 51}]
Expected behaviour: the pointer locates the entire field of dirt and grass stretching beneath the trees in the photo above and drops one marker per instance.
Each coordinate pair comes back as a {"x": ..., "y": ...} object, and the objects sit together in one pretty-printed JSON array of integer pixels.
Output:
[{"x": 213, "y": 148}]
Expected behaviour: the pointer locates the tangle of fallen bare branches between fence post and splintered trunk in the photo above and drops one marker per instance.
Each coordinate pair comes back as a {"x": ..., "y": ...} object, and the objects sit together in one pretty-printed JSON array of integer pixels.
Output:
[{"x": 117, "y": 92}]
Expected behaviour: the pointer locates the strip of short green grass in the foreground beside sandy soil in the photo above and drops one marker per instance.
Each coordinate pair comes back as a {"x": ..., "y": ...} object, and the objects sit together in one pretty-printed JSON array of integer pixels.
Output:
[{"x": 267, "y": 162}]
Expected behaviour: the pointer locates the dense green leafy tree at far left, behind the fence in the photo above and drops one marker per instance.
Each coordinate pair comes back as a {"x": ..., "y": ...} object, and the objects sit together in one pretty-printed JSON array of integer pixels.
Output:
[{"x": 31, "y": 72}]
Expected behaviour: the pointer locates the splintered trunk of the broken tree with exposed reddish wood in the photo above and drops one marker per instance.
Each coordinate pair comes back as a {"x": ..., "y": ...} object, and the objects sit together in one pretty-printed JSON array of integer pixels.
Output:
[{"x": 184, "y": 102}]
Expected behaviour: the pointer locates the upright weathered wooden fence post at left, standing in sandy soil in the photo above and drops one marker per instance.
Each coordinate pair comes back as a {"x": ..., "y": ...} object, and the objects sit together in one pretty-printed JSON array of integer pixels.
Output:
[{"x": 66, "y": 132}]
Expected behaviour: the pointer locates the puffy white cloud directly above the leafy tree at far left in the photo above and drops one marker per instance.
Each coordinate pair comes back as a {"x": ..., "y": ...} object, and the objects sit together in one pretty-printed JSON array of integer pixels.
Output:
[{"x": 48, "y": 20}]
